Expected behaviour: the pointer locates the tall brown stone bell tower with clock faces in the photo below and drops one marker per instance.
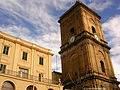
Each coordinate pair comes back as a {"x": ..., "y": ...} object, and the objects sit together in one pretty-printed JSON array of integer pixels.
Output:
[{"x": 85, "y": 54}]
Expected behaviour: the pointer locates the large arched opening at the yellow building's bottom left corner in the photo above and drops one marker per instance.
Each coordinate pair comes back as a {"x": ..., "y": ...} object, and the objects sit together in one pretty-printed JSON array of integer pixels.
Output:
[{"x": 7, "y": 85}]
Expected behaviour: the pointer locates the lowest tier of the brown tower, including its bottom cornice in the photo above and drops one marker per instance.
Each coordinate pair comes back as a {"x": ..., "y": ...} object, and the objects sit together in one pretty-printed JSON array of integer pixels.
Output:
[{"x": 92, "y": 81}]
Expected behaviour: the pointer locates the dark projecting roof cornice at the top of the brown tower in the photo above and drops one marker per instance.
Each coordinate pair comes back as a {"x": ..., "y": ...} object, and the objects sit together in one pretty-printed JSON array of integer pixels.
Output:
[{"x": 78, "y": 4}]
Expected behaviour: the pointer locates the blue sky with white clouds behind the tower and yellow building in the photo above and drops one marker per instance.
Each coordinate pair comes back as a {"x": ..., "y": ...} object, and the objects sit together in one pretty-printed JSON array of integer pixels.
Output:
[{"x": 36, "y": 21}]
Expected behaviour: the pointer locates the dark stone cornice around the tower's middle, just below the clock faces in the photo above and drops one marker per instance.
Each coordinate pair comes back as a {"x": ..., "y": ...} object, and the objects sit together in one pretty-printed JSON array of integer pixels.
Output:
[{"x": 82, "y": 36}]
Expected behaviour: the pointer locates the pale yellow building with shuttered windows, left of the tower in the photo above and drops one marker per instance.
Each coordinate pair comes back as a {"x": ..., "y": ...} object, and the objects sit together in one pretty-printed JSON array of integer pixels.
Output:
[{"x": 24, "y": 65}]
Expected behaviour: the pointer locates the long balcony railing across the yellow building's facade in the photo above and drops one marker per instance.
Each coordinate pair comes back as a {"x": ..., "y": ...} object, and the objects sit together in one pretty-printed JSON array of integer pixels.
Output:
[{"x": 30, "y": 77}]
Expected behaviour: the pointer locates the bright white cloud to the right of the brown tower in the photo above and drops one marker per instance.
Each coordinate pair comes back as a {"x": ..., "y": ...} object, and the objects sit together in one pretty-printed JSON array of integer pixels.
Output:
[{"x": 112, "y": 28}]
